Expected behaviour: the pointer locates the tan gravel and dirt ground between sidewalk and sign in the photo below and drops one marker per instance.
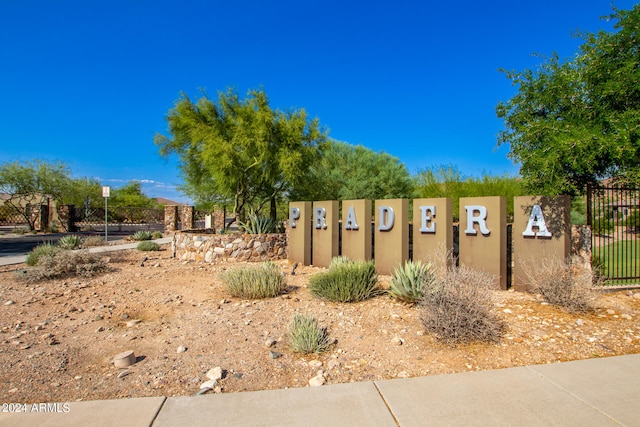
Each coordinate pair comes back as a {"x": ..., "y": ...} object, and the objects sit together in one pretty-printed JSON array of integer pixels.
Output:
[{"x": 60, "y": 337}]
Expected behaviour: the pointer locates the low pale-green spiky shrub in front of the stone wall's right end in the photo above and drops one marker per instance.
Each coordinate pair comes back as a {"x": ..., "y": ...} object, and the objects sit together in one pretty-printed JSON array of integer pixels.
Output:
[{"x": 262, "y": 281}]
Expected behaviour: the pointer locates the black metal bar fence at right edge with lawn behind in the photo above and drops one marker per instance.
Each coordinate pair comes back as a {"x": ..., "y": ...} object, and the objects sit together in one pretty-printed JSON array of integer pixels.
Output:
[{"x": 614, "y": 216}]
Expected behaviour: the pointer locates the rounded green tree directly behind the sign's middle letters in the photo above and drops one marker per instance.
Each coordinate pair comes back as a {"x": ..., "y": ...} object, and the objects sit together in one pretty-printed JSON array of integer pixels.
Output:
[{"x": 355, "y": 172}]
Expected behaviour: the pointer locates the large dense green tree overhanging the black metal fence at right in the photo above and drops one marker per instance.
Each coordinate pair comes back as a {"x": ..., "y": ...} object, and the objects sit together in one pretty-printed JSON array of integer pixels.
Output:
[{"x": 576, "y": 122}]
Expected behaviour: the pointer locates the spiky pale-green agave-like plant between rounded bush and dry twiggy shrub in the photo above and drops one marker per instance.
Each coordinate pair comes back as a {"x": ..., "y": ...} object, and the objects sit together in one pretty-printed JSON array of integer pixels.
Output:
[{"x": 411, "y": 280}]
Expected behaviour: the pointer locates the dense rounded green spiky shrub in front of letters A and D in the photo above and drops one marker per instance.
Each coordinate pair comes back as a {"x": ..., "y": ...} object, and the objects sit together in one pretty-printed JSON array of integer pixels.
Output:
[{"x": 346, "y": 281}]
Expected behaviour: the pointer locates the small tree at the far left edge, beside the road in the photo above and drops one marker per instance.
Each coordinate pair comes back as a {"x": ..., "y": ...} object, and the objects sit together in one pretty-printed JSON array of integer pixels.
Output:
[{"x": 28, "y": 185}]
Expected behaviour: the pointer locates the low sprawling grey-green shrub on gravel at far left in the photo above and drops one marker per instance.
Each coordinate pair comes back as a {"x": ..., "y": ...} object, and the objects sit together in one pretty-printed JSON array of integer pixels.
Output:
[{"x": 65, "y": 264}]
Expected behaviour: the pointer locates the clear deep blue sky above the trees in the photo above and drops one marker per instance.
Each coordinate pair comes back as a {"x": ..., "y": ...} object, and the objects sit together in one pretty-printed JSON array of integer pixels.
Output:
[{"x": 89, "y": 83}]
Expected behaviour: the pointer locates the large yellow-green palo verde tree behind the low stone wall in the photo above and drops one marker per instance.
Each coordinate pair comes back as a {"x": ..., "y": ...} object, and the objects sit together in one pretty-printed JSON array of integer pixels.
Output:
[{"x": 240, "y": 150}]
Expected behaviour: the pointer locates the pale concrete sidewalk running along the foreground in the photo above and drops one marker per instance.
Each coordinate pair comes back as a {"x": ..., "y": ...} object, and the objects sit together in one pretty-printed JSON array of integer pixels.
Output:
[{"x": 594, "y": 392}]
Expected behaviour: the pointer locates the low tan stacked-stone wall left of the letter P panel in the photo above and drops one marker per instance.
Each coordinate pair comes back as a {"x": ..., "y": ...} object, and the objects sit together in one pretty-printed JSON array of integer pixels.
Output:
[{"x": 241, "y": 247}]
